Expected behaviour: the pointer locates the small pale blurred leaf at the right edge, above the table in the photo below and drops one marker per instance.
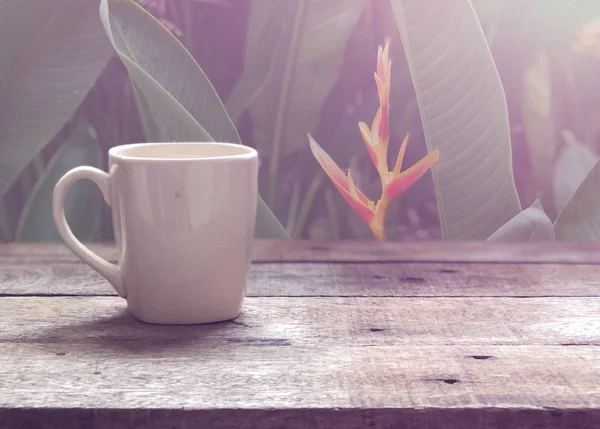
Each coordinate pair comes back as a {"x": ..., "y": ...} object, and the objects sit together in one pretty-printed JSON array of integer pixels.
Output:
[{"x": 574, "y": 163}]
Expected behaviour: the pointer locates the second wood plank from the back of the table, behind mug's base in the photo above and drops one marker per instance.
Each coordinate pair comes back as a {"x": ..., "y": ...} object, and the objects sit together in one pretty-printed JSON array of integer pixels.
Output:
[{"x": 340, "y": 279}]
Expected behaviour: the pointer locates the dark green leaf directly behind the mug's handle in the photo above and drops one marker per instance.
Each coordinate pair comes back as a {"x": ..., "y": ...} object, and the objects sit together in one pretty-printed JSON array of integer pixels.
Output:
[{"x": 84, "y": 201}]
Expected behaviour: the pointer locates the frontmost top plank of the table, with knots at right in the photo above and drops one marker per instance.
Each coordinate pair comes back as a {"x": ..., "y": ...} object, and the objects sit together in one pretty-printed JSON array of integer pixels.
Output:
[{"x": 292, "y": 377}]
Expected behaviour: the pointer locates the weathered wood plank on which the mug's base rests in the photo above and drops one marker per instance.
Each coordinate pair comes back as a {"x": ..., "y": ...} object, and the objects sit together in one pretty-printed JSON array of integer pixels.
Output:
[{"x": 93, "y": 324}]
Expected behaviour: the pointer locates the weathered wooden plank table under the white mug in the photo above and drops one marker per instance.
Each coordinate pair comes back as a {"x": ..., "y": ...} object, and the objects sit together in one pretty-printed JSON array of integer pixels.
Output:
[{"x": 332, "y": 335}]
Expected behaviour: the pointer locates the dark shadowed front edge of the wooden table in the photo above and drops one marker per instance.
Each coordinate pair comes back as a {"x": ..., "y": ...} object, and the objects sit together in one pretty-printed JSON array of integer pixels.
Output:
[{"x": 390, "y": 418}]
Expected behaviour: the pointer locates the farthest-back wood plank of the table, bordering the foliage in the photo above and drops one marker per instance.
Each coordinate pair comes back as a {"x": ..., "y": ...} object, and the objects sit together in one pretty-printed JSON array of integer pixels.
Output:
[{"x": 355, "y": 251}]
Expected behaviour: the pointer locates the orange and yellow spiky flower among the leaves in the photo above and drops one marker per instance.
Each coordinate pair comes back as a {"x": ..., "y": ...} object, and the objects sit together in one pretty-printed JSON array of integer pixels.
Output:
[{"x": 376, "y": 138}]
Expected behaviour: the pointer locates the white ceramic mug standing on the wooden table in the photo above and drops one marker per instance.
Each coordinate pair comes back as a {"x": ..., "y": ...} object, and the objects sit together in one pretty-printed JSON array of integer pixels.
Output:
[{"x": 184, "y": 217}]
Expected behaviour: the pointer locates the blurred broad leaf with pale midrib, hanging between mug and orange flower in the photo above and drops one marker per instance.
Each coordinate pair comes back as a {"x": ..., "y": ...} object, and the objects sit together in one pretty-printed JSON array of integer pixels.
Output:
[{"x": 293, "y": 55}]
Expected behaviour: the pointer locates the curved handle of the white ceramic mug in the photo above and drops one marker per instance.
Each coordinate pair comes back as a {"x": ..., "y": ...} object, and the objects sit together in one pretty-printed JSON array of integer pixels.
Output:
[{"x": 107, "y": 269}]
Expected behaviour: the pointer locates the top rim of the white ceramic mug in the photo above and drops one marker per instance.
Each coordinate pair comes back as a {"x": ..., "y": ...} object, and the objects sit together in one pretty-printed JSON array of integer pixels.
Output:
[{"x": 246, "y": 152}]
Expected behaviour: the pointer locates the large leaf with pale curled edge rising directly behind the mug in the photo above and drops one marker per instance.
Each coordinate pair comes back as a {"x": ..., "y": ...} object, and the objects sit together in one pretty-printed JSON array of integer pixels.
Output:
[{"x": 175, "y": 98}]
